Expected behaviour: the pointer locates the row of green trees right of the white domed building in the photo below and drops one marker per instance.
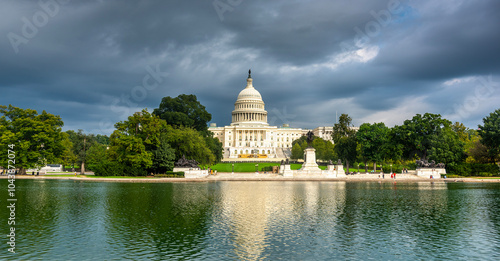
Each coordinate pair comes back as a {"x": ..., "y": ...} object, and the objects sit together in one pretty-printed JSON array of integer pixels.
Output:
[{"x": 427, "y": 137}]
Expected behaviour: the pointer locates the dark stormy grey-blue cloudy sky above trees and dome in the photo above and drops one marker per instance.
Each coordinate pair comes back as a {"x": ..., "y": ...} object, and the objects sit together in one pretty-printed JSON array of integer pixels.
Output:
[{"x": 96, "y": 62}]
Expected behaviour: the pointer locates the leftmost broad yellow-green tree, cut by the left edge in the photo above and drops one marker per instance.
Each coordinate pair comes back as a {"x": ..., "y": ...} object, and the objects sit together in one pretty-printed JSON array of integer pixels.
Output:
[{"x": 37, "y": 138}]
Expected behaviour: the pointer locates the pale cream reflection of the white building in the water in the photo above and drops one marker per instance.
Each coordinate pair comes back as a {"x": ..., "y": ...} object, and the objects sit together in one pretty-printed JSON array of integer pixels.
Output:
[{"x": 251, "y": 215}]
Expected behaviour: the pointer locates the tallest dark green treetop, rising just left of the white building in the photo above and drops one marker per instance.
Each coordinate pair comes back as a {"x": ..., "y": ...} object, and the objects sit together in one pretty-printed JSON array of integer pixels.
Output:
[{"x": 184, "y": 110}]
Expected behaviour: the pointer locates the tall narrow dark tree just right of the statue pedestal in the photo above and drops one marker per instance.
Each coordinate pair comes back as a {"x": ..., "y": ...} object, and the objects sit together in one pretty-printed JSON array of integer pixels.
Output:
[{"x": 345, "y": 139}]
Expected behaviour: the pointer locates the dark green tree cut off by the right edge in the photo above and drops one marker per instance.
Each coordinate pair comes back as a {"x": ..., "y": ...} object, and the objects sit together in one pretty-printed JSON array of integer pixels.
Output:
[{"x": 490, "y": 134}]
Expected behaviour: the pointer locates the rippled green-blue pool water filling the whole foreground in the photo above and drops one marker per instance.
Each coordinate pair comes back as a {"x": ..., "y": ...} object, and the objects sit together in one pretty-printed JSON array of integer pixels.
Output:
[{"x": 76, "y": 220}]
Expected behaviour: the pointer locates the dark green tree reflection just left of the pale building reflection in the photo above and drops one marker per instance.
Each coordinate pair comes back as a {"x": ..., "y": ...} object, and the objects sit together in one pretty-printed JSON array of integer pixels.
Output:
[{"x": 163, "y": 220}]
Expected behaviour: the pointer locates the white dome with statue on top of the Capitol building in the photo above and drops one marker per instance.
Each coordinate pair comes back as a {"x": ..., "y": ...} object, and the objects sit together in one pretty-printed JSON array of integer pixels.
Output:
[{"x": 249, "y": 107}]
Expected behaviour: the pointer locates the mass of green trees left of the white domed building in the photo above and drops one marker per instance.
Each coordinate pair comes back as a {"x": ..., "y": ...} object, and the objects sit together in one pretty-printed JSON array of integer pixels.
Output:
[{"x": 147, "y": 142}]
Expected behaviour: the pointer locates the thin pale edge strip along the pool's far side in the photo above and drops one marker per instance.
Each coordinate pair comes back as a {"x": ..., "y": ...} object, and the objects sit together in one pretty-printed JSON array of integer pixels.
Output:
[{"x": 259, "y": 177}]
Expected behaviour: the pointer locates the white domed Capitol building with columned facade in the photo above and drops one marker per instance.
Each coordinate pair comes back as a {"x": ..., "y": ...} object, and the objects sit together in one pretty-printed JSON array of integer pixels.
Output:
[{"x": 249, "y": 137}]
